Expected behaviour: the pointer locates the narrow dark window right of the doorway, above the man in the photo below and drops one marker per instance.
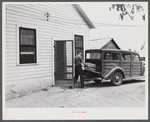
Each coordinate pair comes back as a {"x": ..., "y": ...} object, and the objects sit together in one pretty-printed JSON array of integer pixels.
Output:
[{"x": 79, "y": 44}]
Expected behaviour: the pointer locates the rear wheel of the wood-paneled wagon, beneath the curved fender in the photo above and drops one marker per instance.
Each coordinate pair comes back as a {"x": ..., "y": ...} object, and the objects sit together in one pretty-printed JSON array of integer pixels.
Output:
[{"x": 117, "y": 79}]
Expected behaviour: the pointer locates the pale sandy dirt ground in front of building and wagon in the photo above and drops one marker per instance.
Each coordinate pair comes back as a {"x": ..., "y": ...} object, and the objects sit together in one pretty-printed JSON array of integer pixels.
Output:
[{"x": 129, "y": 94}]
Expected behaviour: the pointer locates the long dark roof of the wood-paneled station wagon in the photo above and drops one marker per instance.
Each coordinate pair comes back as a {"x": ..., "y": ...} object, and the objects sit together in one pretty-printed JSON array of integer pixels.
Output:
[{"x": 111, "y": 50}]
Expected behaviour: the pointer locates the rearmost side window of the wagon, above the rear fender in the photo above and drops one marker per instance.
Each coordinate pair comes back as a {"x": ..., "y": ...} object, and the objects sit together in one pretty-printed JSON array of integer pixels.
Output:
[{"x": 111, "y": 56}]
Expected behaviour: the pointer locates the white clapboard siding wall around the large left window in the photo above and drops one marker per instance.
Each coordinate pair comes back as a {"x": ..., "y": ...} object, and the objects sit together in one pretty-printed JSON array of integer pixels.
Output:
[{"x": 63, "y": 24}]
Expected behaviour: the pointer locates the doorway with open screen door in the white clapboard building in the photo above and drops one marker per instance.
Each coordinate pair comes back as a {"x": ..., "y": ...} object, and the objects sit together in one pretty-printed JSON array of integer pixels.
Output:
[{"x": 64, "y": 63}]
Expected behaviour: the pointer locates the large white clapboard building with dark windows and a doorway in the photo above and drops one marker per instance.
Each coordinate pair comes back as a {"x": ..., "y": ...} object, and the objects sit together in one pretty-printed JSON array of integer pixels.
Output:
[{"x": 40, "y": 41}]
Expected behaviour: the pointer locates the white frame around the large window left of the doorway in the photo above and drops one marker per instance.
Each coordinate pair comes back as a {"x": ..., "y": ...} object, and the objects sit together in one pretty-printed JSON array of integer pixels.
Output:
[{"x": 18, "y": 44}]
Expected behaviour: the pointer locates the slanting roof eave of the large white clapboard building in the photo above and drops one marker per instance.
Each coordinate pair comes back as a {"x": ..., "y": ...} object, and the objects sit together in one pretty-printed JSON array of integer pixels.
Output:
[{"x": 84, "y": 16}]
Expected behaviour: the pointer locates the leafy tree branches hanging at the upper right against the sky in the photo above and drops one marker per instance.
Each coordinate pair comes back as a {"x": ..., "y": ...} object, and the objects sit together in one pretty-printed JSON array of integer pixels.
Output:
[{"x": 128, "y": 9}]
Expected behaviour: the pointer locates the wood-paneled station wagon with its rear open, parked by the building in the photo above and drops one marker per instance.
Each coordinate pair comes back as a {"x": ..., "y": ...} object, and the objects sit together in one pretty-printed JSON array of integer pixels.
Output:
[{"x": 112, "y": 64}]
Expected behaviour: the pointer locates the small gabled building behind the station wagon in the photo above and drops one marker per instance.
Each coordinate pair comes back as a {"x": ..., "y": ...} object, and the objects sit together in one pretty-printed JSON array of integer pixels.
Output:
[{"x": 105, "y": 43}]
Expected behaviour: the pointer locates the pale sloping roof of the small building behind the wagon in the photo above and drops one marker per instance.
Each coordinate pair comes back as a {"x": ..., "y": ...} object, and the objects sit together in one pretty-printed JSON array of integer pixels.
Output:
[{"x": 100, "y": 43}]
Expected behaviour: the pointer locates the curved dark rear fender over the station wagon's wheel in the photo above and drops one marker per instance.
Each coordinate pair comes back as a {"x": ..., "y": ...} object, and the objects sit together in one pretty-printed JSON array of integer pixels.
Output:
[{"x": 109, "y": 75}]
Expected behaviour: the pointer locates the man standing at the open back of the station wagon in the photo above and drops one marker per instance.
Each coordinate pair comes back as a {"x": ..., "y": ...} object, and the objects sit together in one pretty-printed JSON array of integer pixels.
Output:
[{"x": 78, "y": 69}]
